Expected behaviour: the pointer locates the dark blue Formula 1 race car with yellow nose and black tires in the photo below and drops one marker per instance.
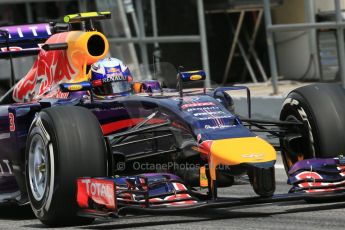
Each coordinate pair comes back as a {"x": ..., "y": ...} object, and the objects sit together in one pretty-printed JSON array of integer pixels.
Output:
[{"x": 58, "y": 141}]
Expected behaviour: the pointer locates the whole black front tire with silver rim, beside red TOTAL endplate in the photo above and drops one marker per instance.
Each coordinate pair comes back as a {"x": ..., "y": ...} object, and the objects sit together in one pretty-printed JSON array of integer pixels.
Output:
[{"x": 70, "y": 141}]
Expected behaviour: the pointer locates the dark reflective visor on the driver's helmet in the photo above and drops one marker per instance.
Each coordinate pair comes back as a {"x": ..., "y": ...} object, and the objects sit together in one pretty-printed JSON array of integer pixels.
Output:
[{"x": 114, "y": 87}]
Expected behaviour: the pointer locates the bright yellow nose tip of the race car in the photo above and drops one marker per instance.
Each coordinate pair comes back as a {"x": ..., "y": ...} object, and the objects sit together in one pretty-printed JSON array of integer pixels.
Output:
[{"x": 235, "y": 151}]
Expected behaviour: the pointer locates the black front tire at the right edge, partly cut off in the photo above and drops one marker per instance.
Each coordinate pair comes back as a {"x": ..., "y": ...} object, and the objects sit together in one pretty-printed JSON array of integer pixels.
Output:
[{"x": 321, "y": 108}]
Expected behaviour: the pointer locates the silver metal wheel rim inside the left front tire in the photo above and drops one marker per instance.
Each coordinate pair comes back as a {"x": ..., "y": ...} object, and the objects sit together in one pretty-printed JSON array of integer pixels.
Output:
[{"x": 38, "y": 167}]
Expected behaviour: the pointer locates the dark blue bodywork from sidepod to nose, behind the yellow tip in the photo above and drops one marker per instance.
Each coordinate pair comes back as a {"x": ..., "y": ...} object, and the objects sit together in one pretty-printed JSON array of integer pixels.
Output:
[{"x": 201, "y": 117}]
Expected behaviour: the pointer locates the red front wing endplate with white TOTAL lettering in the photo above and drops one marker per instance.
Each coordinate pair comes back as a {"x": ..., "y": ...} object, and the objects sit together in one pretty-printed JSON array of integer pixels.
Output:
[{"x": 100, "y": 191}]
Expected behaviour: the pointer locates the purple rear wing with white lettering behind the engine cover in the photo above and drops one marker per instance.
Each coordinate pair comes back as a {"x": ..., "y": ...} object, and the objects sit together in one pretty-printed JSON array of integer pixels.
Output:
[{"x": 23, "y": 40}]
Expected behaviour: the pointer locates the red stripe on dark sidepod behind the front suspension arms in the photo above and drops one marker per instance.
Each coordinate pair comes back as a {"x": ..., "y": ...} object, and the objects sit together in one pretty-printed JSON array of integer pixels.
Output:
[{"x": 118, "y": 125}]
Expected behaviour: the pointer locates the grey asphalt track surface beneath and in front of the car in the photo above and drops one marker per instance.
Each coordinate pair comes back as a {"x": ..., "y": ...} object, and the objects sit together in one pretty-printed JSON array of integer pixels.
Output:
[{"x": 293, "y": 215}]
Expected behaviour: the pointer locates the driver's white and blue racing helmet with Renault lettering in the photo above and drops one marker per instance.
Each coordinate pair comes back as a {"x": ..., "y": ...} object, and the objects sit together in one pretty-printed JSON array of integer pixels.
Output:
[{"x": 110, "y": 77}]
